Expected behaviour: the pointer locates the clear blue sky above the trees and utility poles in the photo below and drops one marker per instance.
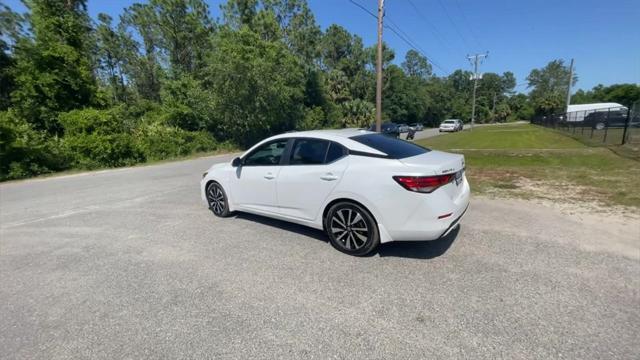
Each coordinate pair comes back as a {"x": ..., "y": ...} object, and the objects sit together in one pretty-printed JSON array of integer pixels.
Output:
[{"x": 602, "y": 36}]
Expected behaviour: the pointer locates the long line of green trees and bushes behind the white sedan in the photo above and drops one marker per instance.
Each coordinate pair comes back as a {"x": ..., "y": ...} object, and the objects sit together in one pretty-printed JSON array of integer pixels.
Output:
[{"x": 166, "y": 79}]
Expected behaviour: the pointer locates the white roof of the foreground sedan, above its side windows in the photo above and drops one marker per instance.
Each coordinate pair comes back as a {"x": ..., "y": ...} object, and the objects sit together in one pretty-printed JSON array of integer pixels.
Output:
[{"x": 341, "y": 136}]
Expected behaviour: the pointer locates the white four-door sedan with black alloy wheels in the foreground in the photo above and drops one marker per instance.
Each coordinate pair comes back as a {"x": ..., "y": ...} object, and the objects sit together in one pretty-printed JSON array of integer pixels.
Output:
[{"x": 362, "y": 188}]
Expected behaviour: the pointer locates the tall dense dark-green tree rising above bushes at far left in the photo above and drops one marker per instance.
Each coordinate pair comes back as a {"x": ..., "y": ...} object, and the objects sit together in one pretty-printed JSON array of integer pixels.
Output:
[{"x": 54, "y": 73}]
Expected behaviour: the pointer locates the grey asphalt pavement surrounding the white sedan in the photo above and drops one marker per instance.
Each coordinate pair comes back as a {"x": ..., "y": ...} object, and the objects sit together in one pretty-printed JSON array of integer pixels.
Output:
[{"x": 130, "y": 264}]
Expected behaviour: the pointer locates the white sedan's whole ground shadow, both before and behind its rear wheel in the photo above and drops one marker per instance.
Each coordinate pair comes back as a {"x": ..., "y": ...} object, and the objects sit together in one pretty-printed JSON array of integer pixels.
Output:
[{"x": 406, "y": 249}]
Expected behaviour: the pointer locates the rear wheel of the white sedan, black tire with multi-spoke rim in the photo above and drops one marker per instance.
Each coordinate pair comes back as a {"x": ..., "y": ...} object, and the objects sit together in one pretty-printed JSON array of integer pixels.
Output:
[{"x": 351, "y": 229}]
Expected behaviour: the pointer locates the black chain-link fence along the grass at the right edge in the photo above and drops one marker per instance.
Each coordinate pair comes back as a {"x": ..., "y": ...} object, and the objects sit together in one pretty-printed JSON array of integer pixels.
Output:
[{"x": 610, "y": 126}]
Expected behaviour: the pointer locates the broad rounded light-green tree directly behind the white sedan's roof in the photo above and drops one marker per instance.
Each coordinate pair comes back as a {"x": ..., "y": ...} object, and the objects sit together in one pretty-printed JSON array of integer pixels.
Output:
[{"x": 257, "y": 87}]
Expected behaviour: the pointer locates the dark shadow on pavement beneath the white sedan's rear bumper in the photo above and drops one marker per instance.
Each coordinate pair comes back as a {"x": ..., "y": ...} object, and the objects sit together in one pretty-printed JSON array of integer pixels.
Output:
[{"x": 419, "y": 249}]
